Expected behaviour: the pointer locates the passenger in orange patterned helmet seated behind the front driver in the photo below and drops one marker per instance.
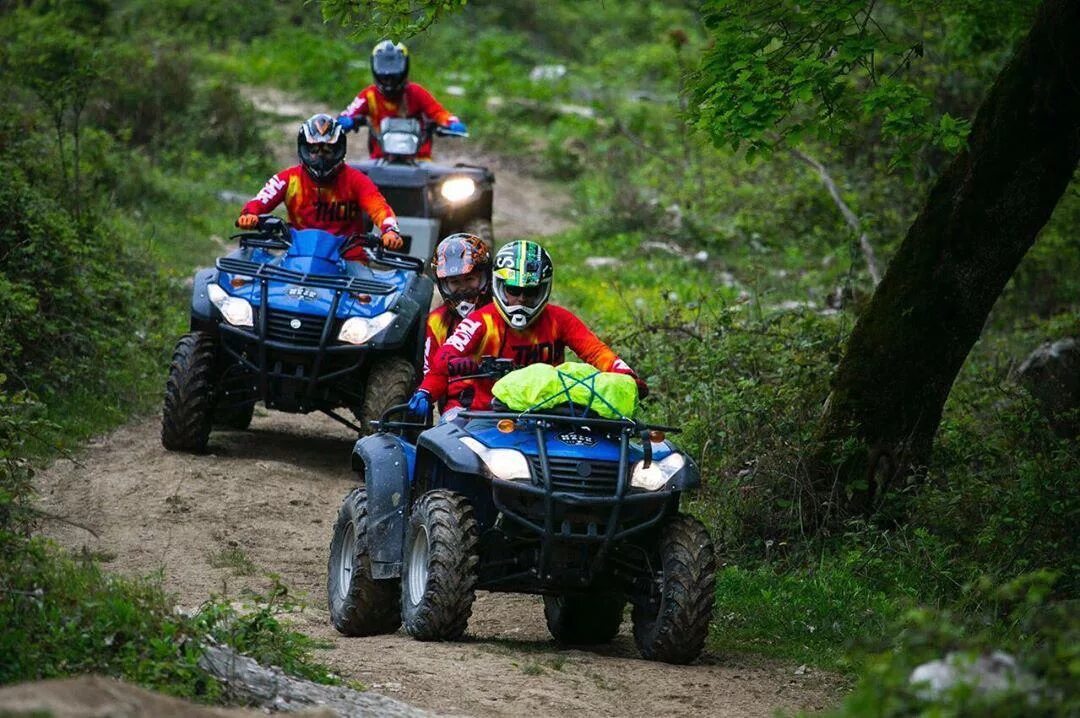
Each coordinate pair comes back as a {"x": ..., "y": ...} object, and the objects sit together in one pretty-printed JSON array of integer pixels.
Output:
[{"x": 463, "y": 267}]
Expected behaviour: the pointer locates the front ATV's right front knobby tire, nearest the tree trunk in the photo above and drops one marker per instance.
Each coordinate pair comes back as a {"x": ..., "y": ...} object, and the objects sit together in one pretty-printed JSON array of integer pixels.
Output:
[{"x": 676, "y": 631}]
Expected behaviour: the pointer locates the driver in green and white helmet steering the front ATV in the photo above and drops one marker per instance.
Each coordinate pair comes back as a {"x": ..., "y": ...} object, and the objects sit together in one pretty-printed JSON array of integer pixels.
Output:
[{"x": 520, "y": 326}]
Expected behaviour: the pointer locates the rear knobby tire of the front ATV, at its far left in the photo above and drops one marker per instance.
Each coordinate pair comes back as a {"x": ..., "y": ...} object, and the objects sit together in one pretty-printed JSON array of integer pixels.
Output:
[{"x": 360, "y": 605}]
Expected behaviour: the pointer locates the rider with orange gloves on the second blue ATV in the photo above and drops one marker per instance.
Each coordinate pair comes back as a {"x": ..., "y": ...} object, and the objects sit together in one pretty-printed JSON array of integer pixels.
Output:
[{"x": 323, "y": 193}]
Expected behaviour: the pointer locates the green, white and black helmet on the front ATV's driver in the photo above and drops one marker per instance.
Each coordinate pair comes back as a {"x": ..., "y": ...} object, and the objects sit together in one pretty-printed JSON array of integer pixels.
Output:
[{"x": 521, "y": 282}]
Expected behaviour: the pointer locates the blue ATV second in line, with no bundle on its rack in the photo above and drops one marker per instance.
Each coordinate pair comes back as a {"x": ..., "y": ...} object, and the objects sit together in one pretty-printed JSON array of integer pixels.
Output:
[{"x": 286, "y": 321}]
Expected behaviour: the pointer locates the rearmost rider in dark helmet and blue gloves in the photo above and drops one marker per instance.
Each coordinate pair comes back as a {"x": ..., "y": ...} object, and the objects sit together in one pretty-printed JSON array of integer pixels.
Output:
[{"x": 394, "y": 96}]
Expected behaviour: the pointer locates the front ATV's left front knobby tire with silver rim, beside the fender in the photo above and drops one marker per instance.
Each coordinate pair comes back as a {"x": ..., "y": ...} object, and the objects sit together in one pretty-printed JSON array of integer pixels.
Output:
[{"x": 439, "y": 574}]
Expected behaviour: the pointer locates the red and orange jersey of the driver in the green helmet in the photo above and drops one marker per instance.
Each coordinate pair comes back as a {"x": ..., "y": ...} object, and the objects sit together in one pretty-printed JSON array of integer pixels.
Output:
[{"x": 485, "y": 333}]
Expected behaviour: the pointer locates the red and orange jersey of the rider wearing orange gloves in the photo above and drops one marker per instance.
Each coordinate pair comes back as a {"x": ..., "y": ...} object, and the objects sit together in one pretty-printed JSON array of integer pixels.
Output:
[{"x": 337, "y": 207}]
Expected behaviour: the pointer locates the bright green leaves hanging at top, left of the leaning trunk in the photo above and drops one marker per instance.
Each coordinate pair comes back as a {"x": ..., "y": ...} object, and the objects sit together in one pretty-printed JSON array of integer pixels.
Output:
[{"x": 784, "y": 72}]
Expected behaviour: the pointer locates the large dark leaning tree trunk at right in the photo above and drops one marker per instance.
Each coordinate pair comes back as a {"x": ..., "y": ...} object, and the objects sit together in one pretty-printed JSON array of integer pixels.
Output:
[{"x": 979, "y": 221}]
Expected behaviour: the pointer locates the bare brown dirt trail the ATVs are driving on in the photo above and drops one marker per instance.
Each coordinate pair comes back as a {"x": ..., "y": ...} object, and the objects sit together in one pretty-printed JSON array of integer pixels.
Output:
[{"x": 265, "y": 502}]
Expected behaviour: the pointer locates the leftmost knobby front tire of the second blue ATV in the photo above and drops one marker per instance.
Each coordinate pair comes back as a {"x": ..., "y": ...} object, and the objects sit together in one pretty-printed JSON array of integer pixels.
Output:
[{"x": 190, "y": 395}]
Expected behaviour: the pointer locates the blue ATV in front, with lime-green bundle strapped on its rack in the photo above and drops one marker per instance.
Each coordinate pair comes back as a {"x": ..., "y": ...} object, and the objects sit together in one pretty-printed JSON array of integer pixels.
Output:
[{"x": 582, "y": 510}]
